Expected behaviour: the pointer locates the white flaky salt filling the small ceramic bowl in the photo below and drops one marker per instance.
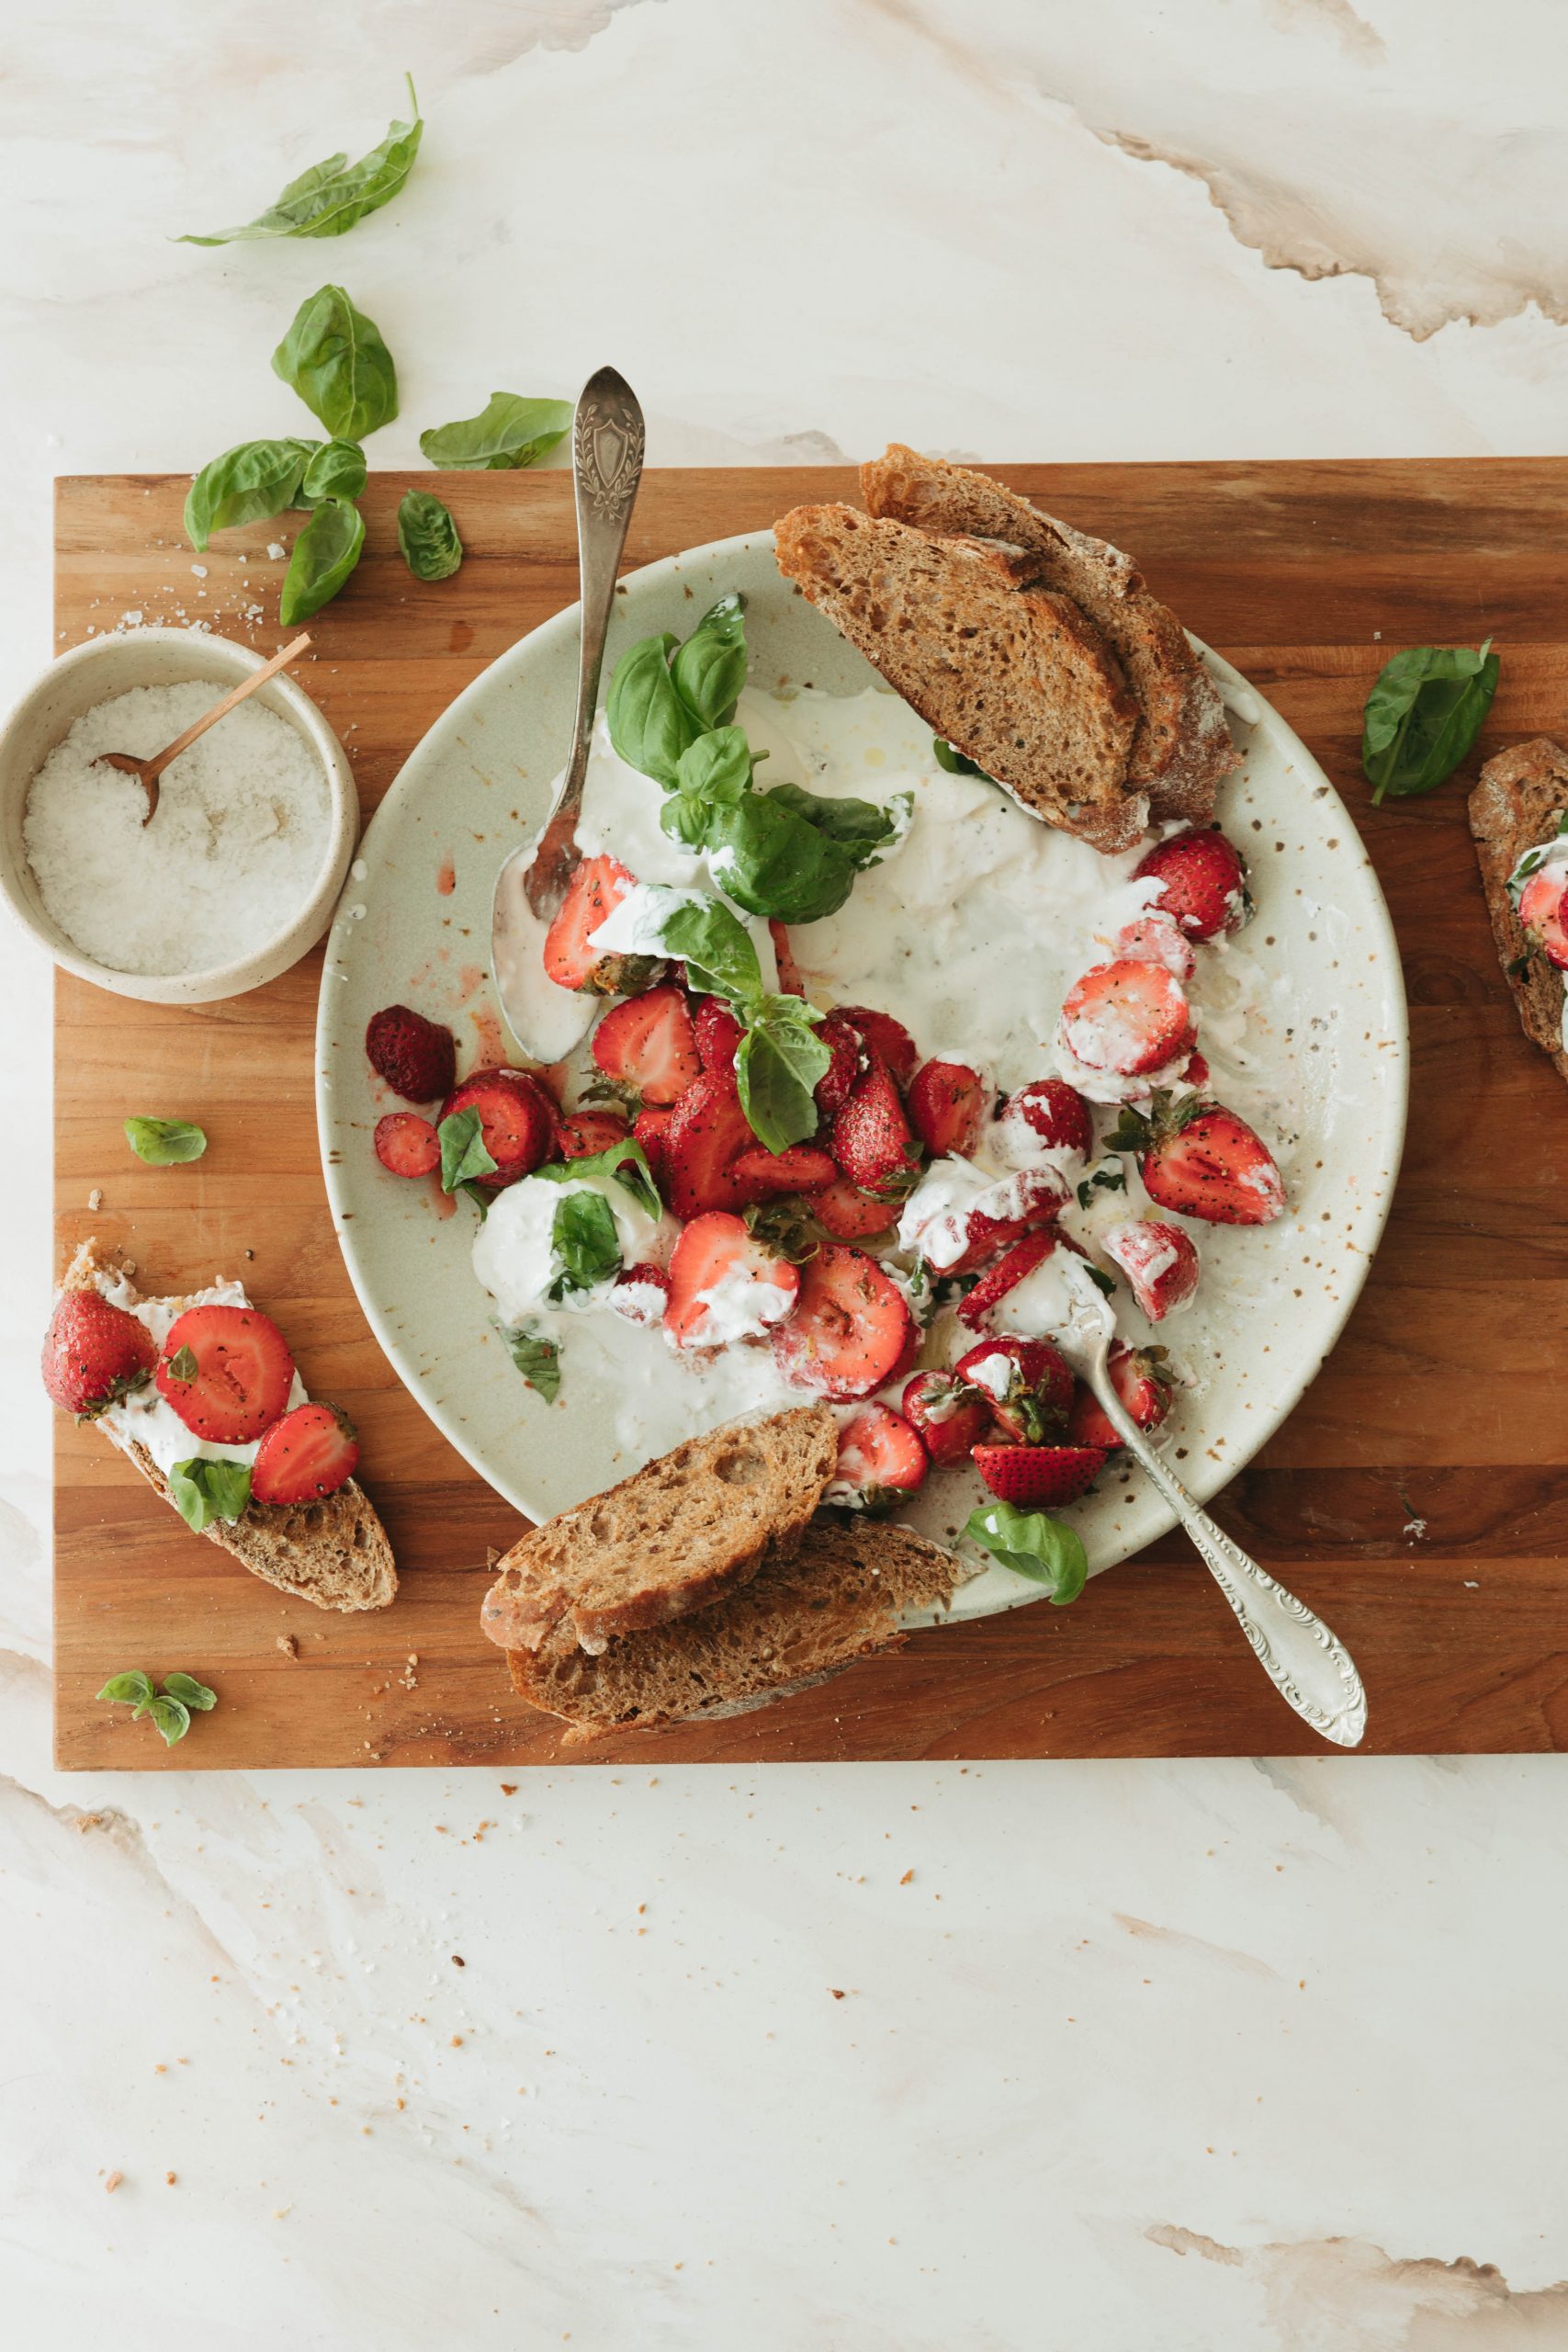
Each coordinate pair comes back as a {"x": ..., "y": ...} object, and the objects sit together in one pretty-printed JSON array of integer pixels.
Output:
[{"x": 232, "y": 855}]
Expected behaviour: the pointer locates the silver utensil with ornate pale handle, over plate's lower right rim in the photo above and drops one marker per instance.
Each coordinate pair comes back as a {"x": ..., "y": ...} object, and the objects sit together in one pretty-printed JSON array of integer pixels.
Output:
[{"x": 1304, "y": 1659}]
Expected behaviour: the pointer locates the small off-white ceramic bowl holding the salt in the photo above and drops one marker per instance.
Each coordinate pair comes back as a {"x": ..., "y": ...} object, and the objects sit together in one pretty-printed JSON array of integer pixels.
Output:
[{"x": 166, "y": 657}]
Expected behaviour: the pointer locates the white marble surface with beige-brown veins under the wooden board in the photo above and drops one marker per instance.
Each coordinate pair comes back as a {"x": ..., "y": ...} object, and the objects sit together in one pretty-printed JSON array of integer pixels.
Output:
[{"x": 1144, "y": 2054}]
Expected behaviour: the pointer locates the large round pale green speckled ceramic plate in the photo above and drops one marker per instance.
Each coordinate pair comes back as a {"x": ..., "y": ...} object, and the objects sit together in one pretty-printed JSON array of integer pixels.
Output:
[{"x": 1273, "y": 1299}]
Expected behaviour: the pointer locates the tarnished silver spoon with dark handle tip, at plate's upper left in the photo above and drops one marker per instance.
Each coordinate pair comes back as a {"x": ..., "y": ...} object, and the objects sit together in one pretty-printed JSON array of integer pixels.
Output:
[{"x": 608, "y": 441}]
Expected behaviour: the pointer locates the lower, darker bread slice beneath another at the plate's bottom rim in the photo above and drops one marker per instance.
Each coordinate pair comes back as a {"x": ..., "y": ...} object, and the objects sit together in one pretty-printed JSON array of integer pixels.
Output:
[{"x": 800, "y": 1619}]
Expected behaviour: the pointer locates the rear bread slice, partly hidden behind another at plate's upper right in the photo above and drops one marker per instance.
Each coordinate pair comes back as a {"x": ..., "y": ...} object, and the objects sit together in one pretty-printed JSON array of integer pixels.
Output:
[{"x": 1181, "y": 747}]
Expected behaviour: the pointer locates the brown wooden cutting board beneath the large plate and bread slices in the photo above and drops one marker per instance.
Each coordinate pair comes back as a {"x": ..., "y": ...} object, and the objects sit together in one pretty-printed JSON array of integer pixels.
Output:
[{"x": 1416, "y": 1497}]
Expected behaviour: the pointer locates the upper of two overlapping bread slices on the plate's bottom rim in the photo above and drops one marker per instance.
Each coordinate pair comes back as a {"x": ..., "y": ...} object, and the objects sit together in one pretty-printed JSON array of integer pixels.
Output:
[{"x": 674, "y": 1537}]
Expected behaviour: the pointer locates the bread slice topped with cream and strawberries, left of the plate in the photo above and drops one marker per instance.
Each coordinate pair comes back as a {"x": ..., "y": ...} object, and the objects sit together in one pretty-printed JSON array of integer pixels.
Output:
[{"x": 333, "y": 1553}]
